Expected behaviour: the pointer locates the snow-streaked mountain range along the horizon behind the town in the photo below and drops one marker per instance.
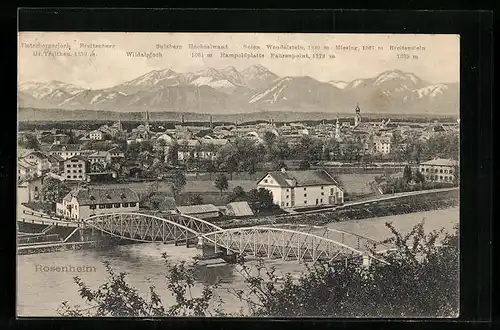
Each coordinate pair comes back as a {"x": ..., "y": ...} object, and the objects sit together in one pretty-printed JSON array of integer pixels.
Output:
[{"x": 254, "y": 89}]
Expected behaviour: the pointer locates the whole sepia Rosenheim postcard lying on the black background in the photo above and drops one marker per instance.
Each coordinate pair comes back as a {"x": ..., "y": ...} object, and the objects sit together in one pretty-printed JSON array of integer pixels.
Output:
[{"x": 238, "y": 175}]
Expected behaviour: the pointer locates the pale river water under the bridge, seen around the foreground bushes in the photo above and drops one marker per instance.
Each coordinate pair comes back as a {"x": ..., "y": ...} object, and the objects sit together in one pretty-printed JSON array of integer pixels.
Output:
[{"x": 40, "y": 293}]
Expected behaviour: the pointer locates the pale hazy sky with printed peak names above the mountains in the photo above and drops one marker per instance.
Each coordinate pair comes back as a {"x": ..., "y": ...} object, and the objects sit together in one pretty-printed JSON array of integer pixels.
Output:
[{"x": 439, "y": 62}]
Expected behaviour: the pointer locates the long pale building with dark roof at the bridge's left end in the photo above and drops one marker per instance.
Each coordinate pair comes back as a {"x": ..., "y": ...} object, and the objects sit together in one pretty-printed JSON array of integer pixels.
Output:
[{"x": 82, "y": 203}]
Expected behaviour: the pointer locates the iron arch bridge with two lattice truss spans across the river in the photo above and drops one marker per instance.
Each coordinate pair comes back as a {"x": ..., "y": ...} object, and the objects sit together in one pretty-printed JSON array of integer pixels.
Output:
[{"x": 286, "y": 242}]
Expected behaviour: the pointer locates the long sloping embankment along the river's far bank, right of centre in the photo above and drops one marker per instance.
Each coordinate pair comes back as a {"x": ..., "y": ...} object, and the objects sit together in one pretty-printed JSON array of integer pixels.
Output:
[{"x": 403, "y": 205}]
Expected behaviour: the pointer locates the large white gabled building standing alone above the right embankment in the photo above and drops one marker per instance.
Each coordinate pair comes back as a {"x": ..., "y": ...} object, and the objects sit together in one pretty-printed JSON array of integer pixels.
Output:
[{"x": 302, "y": 188}]
